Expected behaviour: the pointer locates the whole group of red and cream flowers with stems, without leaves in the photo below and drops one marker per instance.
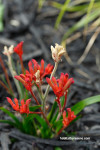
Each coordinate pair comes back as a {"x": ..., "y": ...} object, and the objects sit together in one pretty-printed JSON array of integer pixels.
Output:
[{"x": 34, "y": 76}]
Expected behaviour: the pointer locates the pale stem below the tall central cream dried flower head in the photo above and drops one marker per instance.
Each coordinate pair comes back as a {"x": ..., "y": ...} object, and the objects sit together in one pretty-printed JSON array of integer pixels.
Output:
[{"x": 48, "y": 87}]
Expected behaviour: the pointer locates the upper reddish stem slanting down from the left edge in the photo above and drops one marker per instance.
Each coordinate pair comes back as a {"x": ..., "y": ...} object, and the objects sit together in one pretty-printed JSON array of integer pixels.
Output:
[{"x": 6, "y": 74}]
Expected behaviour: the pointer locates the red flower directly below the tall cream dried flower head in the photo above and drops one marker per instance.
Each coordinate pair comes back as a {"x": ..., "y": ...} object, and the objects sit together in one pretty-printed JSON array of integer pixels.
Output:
[{"x": 60, "y": 86}]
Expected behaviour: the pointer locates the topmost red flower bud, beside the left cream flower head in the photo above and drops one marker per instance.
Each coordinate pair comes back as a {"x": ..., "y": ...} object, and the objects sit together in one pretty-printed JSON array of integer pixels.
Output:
[{"x": 19, "y": 50}]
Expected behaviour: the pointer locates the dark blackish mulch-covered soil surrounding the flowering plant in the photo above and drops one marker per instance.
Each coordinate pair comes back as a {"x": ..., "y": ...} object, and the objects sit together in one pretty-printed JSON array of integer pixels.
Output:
[{"x": 24, "y": 22}]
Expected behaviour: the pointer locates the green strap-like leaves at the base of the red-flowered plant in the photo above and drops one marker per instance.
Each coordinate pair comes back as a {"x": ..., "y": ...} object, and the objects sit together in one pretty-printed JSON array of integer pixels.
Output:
[{"x": 34, "y": 124}]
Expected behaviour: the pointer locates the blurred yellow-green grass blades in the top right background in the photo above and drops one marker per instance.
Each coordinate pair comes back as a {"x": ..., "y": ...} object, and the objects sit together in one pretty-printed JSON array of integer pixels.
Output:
[{"x": 87, "y": 10}]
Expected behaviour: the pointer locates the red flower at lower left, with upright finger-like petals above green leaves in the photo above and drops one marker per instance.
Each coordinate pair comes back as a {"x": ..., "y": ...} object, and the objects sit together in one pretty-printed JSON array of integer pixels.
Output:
[{"x": 24, "y": 108}]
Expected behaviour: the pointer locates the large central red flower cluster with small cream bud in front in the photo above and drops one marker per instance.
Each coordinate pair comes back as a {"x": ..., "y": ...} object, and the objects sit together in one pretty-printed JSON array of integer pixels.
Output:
[{"x": 34, "y": 75}]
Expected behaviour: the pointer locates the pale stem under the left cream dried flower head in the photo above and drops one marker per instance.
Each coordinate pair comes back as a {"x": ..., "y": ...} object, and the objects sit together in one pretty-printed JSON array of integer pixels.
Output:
[{"x": 13, "y": 73}]
